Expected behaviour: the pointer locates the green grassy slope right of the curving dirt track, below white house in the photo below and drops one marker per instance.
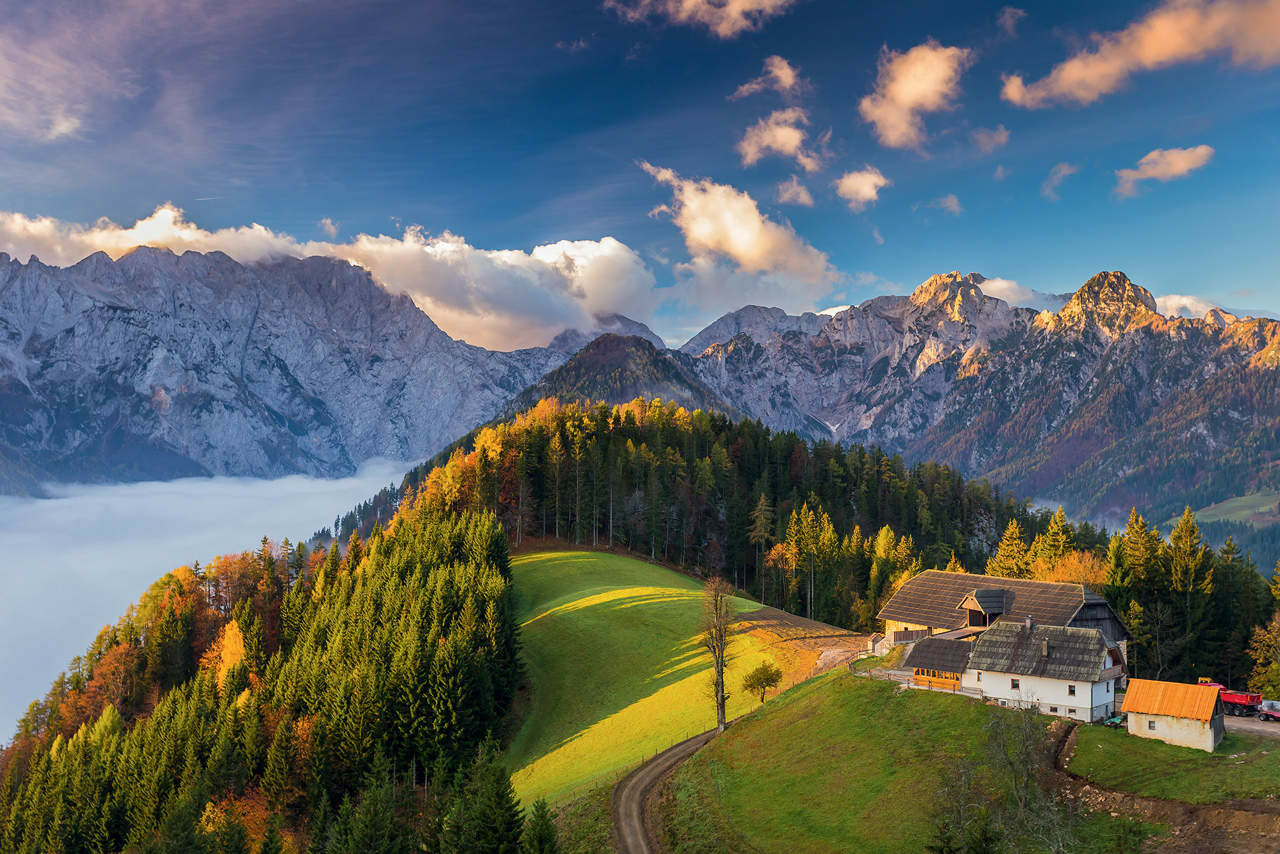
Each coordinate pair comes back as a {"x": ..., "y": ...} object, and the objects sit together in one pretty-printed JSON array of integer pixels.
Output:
[{"x": 840, "y": 764}]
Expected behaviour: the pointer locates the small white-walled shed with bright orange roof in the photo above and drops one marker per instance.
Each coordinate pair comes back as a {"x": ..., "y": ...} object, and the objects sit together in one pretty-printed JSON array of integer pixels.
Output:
[{"x": 1190, "y": 716}]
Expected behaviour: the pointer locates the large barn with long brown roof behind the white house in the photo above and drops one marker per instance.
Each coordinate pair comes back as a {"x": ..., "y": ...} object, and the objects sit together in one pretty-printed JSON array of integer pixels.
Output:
[{"x": 961, "y": 605}]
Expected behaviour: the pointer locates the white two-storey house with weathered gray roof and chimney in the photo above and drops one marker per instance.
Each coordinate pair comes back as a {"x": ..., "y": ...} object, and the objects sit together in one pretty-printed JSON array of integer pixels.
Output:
[{"x": 1058, "y": 670}]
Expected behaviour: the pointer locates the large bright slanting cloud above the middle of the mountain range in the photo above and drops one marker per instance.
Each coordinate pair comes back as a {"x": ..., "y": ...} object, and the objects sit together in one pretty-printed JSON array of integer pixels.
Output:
[{"x": 724, "y": 223}]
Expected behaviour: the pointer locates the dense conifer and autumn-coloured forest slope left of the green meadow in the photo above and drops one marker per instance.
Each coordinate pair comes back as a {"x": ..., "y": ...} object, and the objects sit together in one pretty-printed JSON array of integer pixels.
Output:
[{"x": 340, "y": 701}]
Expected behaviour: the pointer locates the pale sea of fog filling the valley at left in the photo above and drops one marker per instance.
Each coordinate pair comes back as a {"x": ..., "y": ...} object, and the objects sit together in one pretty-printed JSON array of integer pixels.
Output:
[{"x": 74, "y": 563}]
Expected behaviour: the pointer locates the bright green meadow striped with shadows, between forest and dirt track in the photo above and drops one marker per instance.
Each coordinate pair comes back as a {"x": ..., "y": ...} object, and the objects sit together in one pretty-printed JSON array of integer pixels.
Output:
[{"x": 612, "y": 652}]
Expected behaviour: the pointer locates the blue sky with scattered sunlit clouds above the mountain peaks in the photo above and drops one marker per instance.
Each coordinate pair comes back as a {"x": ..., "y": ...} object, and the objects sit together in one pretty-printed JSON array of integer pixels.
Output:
[{"x": 519, "y": 168}]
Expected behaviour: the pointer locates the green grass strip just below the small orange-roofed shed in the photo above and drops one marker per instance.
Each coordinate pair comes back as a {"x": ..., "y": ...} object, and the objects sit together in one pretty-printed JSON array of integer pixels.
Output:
[{"x": 1242, "y": 768}]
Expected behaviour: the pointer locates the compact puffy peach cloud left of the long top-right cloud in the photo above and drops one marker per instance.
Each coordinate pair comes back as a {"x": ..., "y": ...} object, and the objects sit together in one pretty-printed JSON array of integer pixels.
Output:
[{"x": 924, "y": 80}]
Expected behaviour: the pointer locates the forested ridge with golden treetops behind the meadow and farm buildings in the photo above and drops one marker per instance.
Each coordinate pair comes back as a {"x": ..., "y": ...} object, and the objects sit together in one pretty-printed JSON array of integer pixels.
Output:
[{"x": 831, "y": 533}]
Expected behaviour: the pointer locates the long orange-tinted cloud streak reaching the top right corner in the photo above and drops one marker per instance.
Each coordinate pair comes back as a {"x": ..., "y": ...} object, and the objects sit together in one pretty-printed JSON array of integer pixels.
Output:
[{"x": 1177, "y": 31}]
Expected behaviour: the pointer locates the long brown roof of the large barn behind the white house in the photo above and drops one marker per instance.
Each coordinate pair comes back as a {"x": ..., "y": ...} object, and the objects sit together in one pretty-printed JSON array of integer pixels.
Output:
[{"x": 934, "y": 599}]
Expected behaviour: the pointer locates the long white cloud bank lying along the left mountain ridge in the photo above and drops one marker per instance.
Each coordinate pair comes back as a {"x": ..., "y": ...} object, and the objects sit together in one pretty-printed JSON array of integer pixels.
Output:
[{"x": 499, "y": 299}]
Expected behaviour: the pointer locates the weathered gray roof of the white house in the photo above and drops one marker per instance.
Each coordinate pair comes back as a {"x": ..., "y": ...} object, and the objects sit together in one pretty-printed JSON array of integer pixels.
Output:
[{"x": 1054, "y": 652}]
